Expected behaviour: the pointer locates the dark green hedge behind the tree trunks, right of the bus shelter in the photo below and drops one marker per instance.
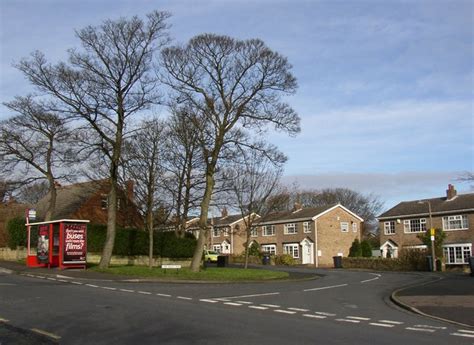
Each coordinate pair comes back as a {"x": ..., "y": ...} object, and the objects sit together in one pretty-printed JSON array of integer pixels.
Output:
[{"x": 131, "y": 242}]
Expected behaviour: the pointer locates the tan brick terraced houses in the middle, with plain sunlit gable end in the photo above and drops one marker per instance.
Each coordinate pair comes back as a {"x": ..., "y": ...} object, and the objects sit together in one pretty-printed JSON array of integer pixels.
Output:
[{"x": 310, "y": 235}]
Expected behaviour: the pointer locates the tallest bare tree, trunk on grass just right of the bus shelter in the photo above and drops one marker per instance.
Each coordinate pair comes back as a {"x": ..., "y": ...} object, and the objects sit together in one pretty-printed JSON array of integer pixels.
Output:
[{"x": 104, "y": 86}]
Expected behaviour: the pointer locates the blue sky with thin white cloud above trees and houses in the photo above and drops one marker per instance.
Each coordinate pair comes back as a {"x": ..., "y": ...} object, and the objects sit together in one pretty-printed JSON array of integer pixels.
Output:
[{"x": 385, "y": 87}]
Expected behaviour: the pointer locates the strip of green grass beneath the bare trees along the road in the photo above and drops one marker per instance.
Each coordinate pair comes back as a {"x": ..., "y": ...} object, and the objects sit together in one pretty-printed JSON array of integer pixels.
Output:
[{"x": 209, "y": 274}]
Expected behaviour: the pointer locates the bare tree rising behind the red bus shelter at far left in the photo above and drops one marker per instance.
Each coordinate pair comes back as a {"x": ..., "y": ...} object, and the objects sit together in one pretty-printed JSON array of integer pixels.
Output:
[{"x": 33, "y": 147}]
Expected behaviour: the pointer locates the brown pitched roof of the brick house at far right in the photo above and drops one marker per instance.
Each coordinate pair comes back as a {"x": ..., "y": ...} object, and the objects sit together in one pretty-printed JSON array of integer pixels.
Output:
[{"x": 461, "y": 202}]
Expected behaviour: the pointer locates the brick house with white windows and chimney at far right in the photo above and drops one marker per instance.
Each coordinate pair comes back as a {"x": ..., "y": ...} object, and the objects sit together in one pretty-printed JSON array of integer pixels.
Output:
[{"x": 454, "y": 214}]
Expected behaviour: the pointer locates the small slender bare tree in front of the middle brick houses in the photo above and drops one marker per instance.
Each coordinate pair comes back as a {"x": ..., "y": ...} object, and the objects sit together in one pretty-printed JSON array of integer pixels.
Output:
[{"x": 253, "y": 181}]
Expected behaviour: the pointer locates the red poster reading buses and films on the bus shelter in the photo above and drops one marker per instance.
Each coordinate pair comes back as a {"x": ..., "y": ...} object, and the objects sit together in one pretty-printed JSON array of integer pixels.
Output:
[{"x": 75, "y": 243}]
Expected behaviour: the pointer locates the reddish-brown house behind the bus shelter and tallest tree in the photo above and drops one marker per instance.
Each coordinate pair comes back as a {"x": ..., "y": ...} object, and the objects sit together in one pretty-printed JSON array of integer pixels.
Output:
[{"x": 88, "y": 200}]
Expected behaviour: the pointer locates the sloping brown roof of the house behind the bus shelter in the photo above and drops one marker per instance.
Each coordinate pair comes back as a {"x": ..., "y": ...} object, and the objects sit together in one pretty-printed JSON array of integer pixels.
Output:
[{"x": 69, "y": 199}]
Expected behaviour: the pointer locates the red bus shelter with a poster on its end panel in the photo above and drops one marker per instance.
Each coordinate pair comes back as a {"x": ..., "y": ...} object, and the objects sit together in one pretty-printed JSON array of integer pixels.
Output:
[{"x": 58, "y": 243}]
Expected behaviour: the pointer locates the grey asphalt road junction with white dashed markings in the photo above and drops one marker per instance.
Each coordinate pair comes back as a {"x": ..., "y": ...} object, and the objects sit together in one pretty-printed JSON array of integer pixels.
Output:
[{"x": 341, "y": 307}]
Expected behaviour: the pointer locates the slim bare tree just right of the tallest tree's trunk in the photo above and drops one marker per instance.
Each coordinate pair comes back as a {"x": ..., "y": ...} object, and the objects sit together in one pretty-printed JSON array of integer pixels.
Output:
[{"x": 142, "y": 163}]
